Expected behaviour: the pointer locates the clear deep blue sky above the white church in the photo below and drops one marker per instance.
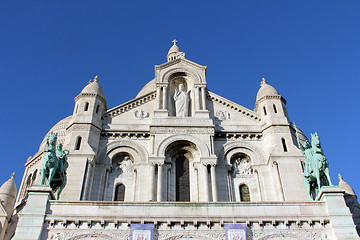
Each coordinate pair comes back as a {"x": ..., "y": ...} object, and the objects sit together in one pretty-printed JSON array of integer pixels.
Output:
[{"x": 308, "y": 50}]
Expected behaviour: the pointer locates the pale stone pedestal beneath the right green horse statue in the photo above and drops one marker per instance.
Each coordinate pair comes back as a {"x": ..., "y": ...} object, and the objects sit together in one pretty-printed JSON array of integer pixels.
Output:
[{"x": 340, "y": 217}]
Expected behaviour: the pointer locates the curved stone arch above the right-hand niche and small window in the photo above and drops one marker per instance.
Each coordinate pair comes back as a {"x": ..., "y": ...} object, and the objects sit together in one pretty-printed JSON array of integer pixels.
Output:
[{"x": 225, "y": 153}]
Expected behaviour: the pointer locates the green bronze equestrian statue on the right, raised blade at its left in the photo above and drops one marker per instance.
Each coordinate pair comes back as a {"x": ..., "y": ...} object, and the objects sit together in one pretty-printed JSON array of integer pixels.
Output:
[{"x": 316, "y": 166}]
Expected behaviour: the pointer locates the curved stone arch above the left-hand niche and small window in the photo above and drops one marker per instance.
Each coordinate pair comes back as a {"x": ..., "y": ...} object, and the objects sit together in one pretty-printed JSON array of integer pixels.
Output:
[{"x": 139, "y": 153}]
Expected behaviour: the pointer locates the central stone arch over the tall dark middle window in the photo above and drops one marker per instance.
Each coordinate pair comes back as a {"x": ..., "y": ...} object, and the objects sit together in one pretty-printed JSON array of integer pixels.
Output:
[{"x": 203, "y": 148}]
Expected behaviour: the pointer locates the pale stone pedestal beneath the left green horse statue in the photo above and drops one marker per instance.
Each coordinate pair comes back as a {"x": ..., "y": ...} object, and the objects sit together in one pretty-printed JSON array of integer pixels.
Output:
[{"x": 32, "y": 217}]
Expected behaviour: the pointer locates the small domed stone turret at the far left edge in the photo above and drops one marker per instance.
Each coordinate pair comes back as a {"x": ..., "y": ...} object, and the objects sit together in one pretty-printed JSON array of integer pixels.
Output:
[{"x": 8, "y": 194}]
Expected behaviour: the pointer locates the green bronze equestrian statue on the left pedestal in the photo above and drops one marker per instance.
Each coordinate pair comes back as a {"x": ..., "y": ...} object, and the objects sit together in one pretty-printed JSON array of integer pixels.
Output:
[{"x": 54, "y": 165}]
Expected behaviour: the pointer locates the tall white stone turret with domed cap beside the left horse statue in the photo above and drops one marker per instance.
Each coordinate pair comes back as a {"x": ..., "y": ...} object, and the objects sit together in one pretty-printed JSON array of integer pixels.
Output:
[{"x": 83, "y": 136}]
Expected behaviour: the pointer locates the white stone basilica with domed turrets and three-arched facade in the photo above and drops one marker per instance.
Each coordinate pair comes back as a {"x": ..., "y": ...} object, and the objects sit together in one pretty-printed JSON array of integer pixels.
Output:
[{"x": 176, "y": 162}]
